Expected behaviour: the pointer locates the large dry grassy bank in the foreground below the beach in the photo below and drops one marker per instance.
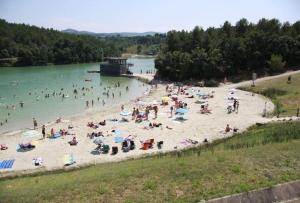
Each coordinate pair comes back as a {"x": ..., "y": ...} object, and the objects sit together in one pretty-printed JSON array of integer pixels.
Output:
[{"x": 260, "y": 157}]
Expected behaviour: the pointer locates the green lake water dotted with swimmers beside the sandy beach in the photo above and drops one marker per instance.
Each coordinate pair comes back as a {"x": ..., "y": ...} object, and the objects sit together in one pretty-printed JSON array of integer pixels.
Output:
[{"x": 30, "y": 85}]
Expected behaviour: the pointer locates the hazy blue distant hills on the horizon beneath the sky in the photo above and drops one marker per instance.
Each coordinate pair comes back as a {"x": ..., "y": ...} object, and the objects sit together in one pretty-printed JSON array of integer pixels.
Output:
[{"x": 121, "y": 34}]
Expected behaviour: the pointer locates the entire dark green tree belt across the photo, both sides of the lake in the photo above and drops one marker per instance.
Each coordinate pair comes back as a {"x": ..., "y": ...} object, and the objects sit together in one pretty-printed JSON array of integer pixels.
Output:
[{"x": 228, "y": 52}]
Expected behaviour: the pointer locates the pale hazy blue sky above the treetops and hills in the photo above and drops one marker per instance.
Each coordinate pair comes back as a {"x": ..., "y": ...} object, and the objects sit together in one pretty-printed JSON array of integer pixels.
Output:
[{"x": 142, "y": 15}]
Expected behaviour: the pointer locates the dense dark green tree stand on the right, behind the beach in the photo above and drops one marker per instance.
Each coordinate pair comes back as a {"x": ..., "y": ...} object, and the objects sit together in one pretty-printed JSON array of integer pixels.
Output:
[{"x": 230, "y": 51}]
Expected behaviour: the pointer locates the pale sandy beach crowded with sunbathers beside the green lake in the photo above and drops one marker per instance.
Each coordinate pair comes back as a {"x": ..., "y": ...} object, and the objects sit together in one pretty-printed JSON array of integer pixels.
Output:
[{"x": 197, "y": 127}]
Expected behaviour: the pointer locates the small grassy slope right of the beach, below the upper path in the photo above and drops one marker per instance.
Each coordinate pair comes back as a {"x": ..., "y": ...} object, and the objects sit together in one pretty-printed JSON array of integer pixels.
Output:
[{"x": 285, "y": 95}]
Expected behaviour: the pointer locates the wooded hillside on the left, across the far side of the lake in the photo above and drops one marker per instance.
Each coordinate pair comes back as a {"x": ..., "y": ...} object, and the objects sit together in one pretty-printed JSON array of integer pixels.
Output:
[{"x": 24, "y": 45}]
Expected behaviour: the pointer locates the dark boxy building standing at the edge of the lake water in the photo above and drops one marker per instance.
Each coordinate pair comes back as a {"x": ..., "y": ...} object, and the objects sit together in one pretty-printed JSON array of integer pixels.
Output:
[{"x": 115, "y": 66}]
